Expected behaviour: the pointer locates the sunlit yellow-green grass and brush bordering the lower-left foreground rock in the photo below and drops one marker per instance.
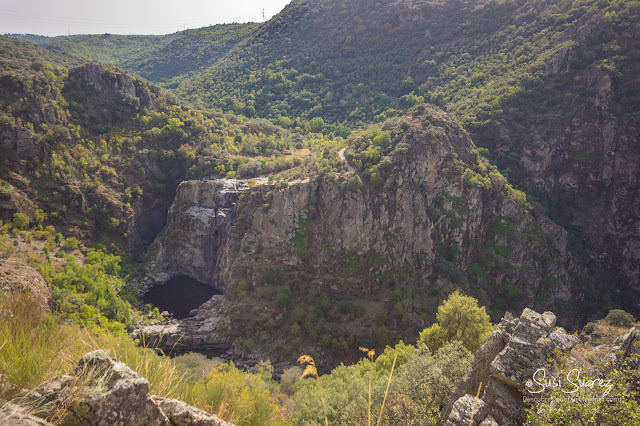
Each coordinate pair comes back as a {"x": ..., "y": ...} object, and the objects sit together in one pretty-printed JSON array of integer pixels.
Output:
[{"x": 35, "y": 347}]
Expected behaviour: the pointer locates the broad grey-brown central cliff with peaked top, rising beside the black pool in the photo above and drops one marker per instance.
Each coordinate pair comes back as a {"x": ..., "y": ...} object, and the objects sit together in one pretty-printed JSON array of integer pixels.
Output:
[{"x": 354, "y": 256}]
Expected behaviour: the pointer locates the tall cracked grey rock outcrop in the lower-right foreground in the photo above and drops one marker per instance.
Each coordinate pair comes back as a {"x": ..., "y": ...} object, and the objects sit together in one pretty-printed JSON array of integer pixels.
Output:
[{"x": 504, "y": 364}]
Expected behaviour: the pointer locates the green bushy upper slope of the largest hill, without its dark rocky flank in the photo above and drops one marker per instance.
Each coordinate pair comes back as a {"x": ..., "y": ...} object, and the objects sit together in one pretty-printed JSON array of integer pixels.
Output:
[{"x": 353, "y": 60}]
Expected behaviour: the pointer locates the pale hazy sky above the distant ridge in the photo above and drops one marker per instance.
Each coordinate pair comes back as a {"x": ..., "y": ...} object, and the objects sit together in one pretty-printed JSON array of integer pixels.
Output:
[{"x": 58, "y": 17}]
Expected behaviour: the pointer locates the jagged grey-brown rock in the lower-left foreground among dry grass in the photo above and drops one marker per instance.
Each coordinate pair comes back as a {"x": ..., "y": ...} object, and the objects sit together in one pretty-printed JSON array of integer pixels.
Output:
[{"x": 104, "y": 391}]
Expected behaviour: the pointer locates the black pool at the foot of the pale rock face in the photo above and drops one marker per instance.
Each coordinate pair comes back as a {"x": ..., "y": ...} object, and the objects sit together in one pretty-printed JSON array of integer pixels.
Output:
[{"x": 180, "y": 295}]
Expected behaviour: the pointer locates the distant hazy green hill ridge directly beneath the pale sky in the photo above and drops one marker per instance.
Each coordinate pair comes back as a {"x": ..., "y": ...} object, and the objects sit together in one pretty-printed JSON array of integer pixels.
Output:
[{"x": 165, "y": 60}]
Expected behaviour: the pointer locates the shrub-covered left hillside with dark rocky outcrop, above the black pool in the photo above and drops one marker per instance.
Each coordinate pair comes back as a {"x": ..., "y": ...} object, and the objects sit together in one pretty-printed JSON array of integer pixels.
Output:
[{"x": 104, "y": 151}]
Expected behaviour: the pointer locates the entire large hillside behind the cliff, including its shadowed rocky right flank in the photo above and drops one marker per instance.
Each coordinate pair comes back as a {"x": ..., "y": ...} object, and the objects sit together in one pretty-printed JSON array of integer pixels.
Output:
[{"x": 551, "y": 88}]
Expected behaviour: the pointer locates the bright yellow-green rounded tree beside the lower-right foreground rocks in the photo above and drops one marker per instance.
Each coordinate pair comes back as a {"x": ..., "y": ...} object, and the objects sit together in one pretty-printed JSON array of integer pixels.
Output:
[{"x": 459, "y": 318}]
